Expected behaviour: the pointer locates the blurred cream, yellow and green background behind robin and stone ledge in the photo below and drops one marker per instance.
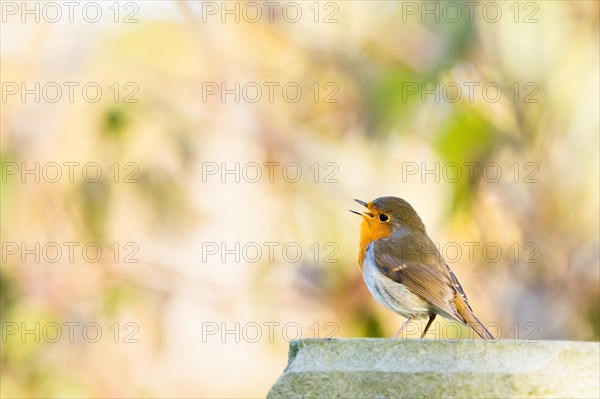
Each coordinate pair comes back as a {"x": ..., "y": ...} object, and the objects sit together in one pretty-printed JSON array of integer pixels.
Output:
[{"x": 176, "y": 179}]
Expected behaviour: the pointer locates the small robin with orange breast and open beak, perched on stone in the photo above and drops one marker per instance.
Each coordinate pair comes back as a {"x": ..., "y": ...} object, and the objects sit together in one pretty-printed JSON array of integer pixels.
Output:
[{"x": 403, "y": 269}]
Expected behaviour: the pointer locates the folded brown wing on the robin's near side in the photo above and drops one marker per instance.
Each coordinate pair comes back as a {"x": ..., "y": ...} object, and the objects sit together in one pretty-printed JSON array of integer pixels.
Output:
[{"x": 429, "y": 282}]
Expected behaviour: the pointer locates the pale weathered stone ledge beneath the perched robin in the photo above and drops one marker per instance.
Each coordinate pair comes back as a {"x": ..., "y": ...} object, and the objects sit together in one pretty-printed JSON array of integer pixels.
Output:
[{"x": 386, "y": 368}]
